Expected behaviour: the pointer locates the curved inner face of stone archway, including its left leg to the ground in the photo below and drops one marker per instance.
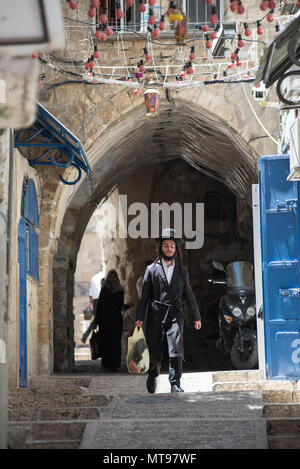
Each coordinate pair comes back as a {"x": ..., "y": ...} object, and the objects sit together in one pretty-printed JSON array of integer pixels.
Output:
[{"x": 182, "y": 130}]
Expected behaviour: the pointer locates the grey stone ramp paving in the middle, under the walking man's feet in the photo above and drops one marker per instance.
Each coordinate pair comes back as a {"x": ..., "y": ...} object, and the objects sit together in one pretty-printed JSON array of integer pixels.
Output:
[{"x": 196, "y": 419}]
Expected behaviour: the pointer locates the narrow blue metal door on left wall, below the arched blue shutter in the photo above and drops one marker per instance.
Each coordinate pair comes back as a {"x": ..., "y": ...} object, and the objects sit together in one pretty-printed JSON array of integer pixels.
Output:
[{"x": 22, "y": 304}]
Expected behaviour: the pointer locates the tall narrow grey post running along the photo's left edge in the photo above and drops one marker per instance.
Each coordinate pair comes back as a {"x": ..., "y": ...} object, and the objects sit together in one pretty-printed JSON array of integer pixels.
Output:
[{"x": 5, "y": 254}]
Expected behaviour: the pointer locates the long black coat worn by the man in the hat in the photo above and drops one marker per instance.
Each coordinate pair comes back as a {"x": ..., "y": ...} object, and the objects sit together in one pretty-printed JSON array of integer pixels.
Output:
[{"x": 155, "y": 297}]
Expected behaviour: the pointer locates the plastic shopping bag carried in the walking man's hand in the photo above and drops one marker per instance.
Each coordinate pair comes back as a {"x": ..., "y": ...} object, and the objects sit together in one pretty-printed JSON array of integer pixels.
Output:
[{"x": 137, "y": 359}]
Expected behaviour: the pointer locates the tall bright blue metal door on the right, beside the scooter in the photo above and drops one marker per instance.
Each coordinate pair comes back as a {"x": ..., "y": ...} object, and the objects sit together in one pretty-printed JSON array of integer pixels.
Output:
[{"x": 279, "y": 210}]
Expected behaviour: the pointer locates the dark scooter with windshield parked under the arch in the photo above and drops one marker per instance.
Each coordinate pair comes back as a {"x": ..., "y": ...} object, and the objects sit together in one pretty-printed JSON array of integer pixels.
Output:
[{"x": 237, "y": 314}]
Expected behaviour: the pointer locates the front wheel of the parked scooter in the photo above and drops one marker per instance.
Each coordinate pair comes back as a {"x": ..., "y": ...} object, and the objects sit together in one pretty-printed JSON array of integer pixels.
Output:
[{"x": 247, "y": 359}]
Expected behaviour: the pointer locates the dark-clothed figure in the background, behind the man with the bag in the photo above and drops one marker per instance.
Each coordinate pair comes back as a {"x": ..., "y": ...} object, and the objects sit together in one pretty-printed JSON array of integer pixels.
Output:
[{"x": 110, "y": 320}]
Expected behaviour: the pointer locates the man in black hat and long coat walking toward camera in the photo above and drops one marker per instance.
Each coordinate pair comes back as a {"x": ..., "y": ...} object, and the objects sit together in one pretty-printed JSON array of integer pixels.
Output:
[{"x": 165, "y": 287}]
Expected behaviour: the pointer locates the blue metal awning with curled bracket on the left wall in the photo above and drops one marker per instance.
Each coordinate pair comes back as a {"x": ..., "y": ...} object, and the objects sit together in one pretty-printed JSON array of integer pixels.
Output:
[{"x": 62, "y": 147}]
